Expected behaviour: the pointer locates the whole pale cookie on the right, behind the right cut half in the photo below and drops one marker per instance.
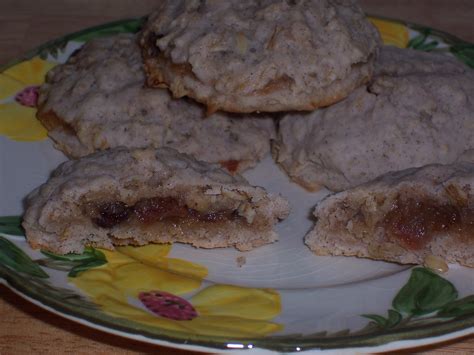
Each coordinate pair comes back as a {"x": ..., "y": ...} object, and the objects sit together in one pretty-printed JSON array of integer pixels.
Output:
[{"x": 416, "y": 111}]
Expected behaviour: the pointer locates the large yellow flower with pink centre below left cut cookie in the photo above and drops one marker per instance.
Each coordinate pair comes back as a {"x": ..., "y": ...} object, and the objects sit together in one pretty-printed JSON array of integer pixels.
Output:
[{"x": 141, "y": 284}]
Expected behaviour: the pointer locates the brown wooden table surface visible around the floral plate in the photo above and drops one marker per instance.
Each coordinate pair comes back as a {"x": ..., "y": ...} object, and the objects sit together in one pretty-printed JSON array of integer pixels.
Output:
[{"x": 24, "y": 24}]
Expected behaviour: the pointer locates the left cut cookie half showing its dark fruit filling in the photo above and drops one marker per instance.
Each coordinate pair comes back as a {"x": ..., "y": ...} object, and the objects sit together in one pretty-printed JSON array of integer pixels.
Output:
[{"x": 139, "y": 196}]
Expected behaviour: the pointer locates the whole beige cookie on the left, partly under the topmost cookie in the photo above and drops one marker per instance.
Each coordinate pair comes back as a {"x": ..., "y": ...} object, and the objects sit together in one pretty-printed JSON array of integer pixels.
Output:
[{"x": 97, "y": 101}]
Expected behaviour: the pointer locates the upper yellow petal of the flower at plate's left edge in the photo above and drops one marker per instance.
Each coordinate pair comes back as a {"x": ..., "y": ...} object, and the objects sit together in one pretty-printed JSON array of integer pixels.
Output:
[{"x": 30, "y": 72}]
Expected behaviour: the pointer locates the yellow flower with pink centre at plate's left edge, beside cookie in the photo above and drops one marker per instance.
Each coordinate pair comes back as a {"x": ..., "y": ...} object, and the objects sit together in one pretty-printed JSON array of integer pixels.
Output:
[{"x": 18, "y": 94}]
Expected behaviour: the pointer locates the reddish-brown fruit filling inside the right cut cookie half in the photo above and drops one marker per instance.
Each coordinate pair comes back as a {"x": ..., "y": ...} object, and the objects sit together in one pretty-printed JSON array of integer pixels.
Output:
[{"x": 415, "y": 222}]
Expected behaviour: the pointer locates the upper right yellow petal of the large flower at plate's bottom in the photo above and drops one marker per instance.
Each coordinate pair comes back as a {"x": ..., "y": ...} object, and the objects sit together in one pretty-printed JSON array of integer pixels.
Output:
[{"x": 237, "y": 301}]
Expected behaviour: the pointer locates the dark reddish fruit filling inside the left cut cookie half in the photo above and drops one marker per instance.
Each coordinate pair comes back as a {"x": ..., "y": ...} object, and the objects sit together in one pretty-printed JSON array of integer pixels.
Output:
[{"x": 150, "y": 210}]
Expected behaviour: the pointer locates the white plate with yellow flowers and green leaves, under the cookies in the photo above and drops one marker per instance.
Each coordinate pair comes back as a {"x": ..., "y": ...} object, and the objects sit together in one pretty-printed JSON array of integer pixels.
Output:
[{"x": 278, "y": 298}]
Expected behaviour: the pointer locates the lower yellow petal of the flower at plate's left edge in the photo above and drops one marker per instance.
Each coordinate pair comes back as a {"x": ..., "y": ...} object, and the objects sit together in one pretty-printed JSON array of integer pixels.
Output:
[{"x": 19, "y": 123}]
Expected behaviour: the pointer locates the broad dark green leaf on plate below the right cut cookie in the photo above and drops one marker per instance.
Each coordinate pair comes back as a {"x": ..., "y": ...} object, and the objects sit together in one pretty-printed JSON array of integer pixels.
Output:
[{"x": 425, "y": 292}]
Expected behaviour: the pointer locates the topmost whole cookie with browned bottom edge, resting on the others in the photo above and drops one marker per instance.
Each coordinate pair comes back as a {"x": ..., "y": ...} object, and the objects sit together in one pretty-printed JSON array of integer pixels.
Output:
[{"x": 271, "y": 55}]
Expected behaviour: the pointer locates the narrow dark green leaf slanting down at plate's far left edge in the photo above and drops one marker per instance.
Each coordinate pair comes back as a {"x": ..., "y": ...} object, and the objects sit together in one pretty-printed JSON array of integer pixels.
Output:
[{"x": 15, "y": 258}]
